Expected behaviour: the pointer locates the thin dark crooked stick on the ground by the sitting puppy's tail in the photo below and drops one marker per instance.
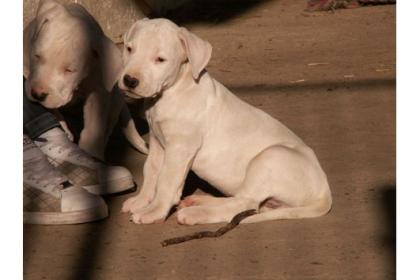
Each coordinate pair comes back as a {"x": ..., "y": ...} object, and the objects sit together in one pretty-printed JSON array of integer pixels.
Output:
[{"x": 203, "y": 234}]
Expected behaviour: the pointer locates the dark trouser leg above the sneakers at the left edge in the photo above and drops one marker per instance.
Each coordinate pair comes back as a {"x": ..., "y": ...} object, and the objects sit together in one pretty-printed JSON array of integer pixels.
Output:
[{"x": 36, "y": 119}]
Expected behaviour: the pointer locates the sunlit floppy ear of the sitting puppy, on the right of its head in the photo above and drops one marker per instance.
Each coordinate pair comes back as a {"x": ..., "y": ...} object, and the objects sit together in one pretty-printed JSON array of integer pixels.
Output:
[{"x": 198, "y": 51}]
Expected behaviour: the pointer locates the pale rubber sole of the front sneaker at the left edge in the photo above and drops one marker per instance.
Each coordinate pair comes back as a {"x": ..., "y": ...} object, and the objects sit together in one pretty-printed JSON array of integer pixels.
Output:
[{"x": 64, "y": 218}]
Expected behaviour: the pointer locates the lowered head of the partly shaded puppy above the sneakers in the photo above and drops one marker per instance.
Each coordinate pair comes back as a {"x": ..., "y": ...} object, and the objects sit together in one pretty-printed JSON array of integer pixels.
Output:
[{"x": 60, "y": 55}]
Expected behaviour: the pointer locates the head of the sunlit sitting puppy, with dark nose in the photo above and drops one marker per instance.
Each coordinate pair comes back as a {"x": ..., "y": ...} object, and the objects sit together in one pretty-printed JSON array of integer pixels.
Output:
[{"x": 154, "y": 53}]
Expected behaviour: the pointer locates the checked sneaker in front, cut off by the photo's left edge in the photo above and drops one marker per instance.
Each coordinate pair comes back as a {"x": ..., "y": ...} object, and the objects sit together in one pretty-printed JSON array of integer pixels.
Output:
[{"x": 48, "y": 196}]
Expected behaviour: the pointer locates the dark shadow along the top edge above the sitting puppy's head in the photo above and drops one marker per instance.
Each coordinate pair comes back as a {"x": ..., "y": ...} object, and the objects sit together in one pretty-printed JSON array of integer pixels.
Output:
[{"x": 205, "y": 11}]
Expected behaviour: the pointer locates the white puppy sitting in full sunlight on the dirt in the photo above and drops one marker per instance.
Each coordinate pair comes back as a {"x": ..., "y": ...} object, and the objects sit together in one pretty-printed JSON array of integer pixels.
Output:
[{"x": 196, "y": 123}]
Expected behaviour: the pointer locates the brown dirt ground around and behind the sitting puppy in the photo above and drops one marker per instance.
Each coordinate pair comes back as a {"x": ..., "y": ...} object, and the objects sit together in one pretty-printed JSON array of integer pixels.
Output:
[{"x": 330, "y": 77}]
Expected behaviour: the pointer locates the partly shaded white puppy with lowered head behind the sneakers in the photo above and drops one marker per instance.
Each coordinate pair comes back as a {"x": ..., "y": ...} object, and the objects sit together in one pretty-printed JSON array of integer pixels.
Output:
[{"x": 67, "y": 57}]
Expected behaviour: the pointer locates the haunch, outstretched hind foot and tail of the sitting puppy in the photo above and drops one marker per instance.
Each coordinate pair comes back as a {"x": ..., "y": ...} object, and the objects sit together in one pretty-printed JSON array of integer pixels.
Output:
[{"x": 285, "y": 175}]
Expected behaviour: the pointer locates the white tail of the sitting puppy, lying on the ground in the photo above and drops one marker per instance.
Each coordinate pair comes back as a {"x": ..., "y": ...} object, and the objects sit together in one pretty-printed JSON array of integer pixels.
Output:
[{"x": 318, "y": 208}]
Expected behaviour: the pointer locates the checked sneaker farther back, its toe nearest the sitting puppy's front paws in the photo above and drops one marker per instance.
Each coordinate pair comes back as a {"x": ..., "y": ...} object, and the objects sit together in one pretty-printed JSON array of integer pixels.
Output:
[{"x": 82, "y": 169}]
